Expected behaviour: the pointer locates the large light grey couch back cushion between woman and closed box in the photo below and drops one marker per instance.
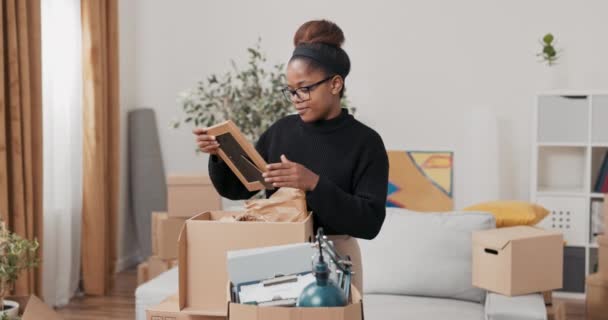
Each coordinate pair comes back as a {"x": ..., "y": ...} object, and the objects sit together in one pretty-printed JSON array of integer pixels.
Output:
[{"x": 423, "y": 254}]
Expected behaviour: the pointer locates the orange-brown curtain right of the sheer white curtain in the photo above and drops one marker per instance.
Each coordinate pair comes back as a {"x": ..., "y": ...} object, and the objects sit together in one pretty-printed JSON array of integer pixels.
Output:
[{"x": 100, "y": 143}]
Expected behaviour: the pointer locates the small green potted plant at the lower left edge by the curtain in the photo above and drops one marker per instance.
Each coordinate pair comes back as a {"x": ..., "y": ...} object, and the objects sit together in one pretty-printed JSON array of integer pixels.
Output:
[{"x": 16, "y": 255}]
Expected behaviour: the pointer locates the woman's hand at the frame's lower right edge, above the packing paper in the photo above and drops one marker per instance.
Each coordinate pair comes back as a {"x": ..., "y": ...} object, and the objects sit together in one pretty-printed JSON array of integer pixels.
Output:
[{"x": 290, "y": 174}]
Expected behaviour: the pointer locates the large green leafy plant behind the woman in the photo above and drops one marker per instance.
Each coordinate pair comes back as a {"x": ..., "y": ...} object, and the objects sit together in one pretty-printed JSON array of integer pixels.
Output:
[{"x": 250, "y": 97}]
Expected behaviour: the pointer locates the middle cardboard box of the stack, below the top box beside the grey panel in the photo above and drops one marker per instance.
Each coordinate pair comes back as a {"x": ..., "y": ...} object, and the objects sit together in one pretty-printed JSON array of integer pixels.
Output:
[{"x": 165, "y": 232}]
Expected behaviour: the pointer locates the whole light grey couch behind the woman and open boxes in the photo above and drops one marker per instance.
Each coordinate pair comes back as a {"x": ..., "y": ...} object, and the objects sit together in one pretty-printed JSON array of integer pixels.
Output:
[{"x": 418, "y": 267}]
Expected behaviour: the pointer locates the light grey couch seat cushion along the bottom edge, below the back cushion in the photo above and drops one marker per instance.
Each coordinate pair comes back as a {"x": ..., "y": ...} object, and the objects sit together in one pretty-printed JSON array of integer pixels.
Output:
[{"x": 389, "y": 307}]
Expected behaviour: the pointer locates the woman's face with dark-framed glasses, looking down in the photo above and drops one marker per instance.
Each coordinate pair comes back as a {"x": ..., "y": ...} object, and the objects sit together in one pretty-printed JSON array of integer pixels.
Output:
[{"x": 322, "y": 101}]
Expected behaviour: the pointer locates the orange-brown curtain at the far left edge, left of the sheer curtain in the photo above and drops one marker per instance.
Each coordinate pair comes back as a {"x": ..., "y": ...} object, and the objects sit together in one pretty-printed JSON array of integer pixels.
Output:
[{"x": 21, "y": 128}]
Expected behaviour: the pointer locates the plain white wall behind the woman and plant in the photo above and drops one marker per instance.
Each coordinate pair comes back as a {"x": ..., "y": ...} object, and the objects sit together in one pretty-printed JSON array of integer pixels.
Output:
[{"x": 419, "y": 67}]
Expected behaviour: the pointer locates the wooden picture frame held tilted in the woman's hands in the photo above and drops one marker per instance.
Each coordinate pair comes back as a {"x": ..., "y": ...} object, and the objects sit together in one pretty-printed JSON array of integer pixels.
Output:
[{"x": 240, "y": 155}]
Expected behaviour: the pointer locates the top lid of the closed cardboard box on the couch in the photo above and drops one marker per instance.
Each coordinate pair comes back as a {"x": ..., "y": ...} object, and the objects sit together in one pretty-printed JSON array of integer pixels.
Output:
[{"x": 499, "y": 240}]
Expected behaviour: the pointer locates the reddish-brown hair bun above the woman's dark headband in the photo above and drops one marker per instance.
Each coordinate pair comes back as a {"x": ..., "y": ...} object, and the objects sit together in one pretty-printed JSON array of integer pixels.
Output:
[{"x": 319, "y": 31}]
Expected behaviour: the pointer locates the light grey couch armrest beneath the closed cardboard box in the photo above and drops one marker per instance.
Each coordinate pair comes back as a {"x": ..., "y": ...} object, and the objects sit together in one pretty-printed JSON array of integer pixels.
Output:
[{"x": 526, "y": 307}]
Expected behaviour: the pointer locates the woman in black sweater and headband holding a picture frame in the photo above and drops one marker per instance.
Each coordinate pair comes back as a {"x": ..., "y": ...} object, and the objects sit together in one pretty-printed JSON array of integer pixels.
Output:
[{"x": 340, "y": 163}]
